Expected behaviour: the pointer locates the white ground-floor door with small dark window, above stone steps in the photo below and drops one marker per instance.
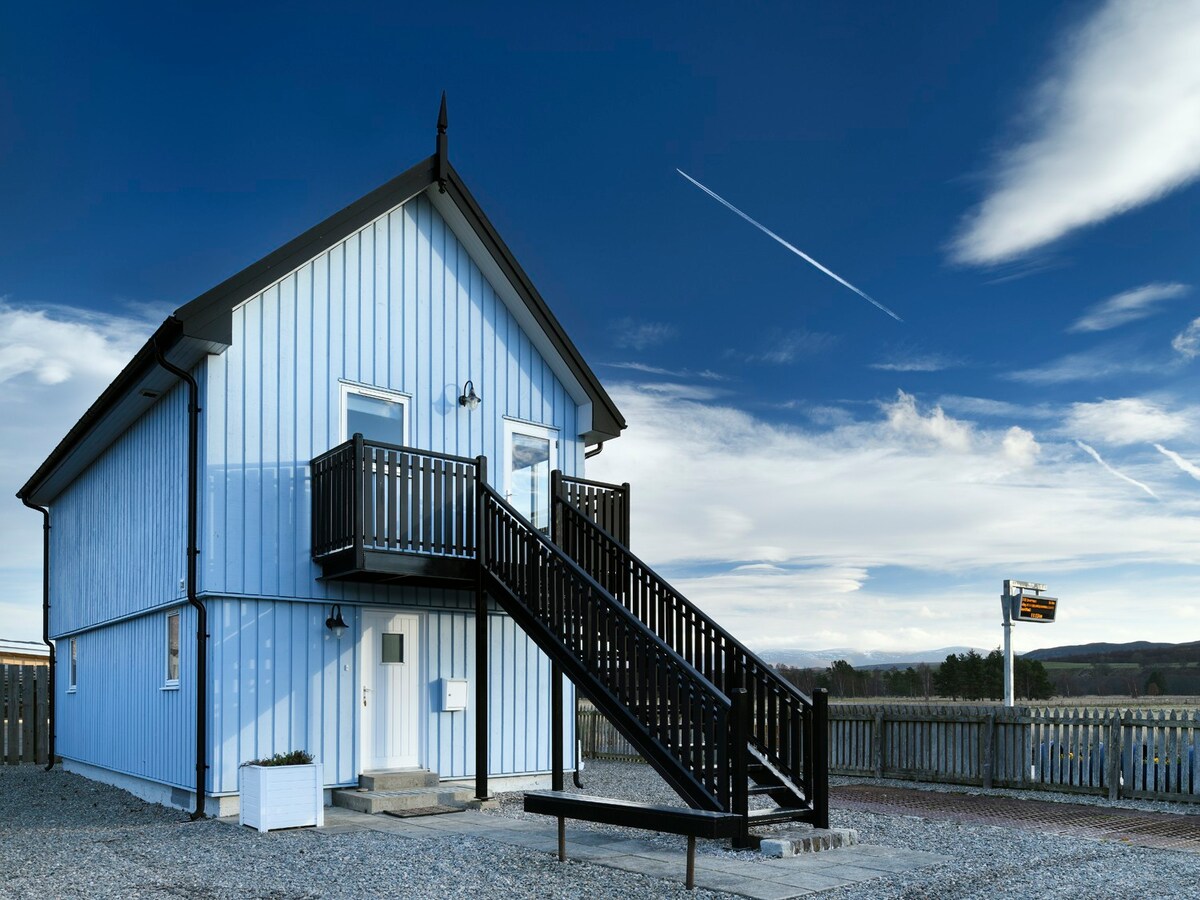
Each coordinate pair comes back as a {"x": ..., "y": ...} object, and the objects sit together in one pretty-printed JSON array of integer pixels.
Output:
[{"x": 392, "y": 699}]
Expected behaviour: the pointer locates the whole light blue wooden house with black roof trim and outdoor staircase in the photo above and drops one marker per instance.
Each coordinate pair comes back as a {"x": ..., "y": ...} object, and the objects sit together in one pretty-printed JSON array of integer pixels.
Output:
[{"x": 338, "y": 505}]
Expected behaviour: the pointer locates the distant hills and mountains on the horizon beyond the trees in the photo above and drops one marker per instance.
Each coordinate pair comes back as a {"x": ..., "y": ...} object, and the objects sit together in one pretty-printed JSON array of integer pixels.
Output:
[{"x": 1142, "y": 652}]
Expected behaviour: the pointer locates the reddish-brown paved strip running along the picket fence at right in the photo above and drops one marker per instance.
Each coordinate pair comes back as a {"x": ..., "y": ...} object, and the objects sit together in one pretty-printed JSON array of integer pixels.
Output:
[{"x": 1160, "y": 831}]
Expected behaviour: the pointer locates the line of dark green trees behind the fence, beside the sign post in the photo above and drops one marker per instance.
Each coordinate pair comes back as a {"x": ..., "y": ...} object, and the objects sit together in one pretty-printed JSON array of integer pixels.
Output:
[{"x": 964, "y": 676}]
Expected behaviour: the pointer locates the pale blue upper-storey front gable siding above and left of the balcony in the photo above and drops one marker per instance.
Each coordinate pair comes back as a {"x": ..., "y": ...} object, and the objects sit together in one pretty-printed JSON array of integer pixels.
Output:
[{"x": 399, "y": 305}]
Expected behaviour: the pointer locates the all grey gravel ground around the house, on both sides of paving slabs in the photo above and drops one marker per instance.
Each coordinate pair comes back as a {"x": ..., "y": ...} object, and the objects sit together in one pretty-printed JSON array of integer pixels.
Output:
[{"x": 63, "y": 836}]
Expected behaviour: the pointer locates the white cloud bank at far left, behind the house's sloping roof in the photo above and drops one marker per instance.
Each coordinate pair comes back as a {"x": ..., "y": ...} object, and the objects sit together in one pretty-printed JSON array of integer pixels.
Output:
[{"x": 55, "y": 362}]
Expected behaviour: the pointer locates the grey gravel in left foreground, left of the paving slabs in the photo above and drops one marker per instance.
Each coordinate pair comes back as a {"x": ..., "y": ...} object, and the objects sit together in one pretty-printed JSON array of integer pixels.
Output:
[{"x": 65, "y": 837}]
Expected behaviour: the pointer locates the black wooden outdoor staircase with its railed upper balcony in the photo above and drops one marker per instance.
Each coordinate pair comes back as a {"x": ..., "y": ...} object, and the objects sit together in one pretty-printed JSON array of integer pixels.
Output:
[{"x": 713, "y": 719}]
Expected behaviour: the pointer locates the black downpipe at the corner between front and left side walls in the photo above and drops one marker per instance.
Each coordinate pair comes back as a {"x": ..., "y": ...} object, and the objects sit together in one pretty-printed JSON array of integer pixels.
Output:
[{"x": 194, "y": 553}]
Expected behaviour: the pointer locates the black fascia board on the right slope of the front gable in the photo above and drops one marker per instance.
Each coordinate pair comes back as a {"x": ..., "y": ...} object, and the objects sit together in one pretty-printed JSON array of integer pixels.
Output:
[{"x": 607, "y": 419}]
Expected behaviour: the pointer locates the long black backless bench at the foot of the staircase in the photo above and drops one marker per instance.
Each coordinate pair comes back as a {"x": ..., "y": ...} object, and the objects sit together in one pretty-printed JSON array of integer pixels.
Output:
[{"x": 669, "y": 820}]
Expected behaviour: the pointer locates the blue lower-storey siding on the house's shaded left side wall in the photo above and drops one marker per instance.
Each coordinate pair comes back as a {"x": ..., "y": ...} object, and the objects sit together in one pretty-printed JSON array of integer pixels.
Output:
[{"x": 121, "y": 717}]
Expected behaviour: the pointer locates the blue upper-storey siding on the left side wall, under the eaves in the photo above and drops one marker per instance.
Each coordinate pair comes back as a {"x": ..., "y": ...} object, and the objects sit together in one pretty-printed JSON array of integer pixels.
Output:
[{"x": 118, "y": 531}]
